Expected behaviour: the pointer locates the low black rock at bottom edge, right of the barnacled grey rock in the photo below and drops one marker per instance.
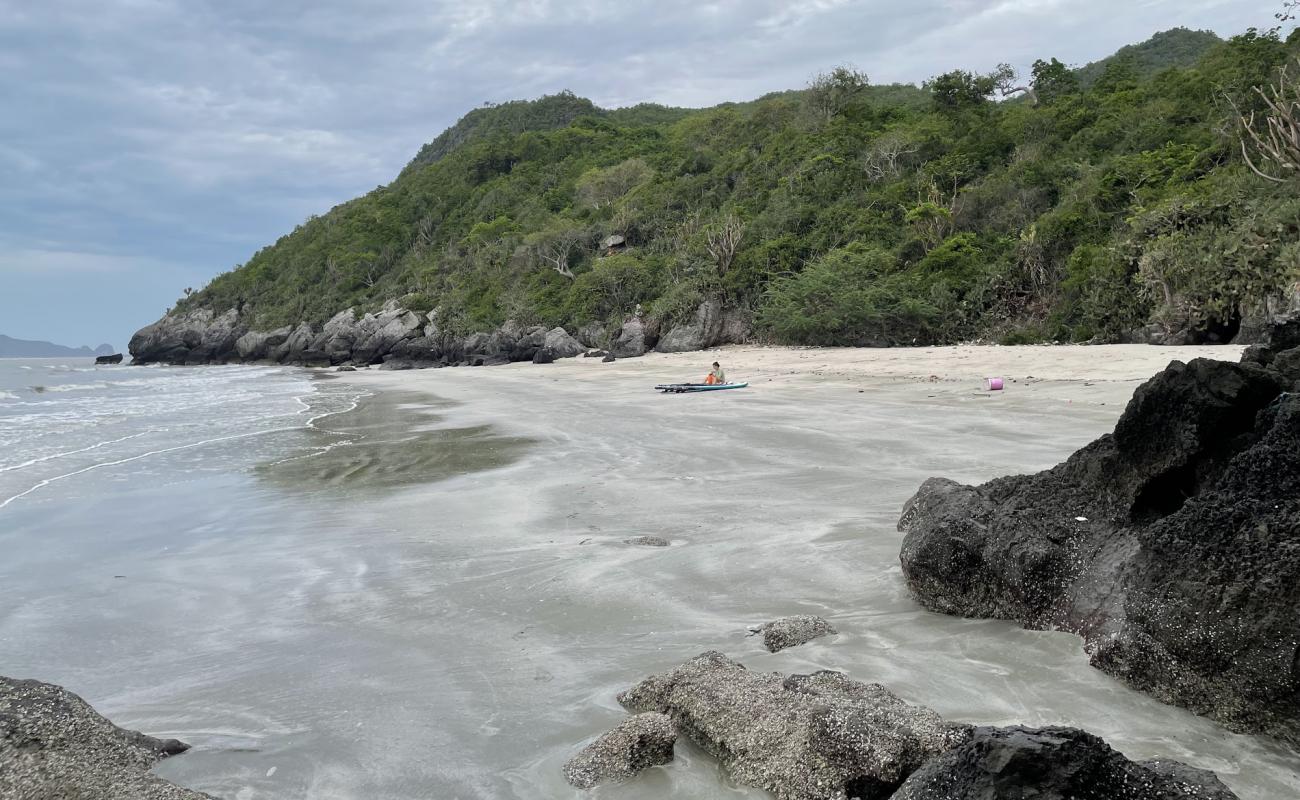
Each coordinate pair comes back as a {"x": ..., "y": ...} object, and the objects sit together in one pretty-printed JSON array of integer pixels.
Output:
[{"x": 1052, "y": 764}]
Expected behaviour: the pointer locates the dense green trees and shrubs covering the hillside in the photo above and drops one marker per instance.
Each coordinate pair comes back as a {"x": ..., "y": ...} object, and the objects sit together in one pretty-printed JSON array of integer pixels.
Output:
[{"x": 839, "y": 214}]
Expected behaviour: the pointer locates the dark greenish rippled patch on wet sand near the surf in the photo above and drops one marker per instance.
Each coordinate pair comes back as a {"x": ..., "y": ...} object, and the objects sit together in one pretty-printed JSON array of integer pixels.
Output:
[{"x": 391, "y": 440}]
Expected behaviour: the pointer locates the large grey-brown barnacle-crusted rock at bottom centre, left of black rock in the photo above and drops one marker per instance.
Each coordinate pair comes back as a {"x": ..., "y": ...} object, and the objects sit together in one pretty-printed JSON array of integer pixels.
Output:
[{"x": 820, "y": 737}]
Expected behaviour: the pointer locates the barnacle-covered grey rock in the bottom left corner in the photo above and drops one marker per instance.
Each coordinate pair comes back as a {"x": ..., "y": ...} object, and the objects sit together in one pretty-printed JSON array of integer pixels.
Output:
[{"x": 54, "y": 745}]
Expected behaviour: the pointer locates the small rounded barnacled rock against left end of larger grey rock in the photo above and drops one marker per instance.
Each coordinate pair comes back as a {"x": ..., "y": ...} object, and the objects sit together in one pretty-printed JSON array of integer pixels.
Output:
[{"x": 636, "y": 745}]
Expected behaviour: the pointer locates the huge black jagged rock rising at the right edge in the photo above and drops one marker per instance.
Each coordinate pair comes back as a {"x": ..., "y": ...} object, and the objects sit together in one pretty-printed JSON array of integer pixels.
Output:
[{"x": 1172, "y": 546}]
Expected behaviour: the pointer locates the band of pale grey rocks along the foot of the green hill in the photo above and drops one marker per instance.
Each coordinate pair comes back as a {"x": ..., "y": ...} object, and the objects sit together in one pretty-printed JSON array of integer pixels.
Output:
[{"x": 401, "y": 339}]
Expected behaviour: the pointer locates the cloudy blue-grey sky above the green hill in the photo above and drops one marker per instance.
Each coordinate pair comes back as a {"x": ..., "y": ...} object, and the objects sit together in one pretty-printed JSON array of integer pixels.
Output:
[{"x": 148, "y": 146}]
